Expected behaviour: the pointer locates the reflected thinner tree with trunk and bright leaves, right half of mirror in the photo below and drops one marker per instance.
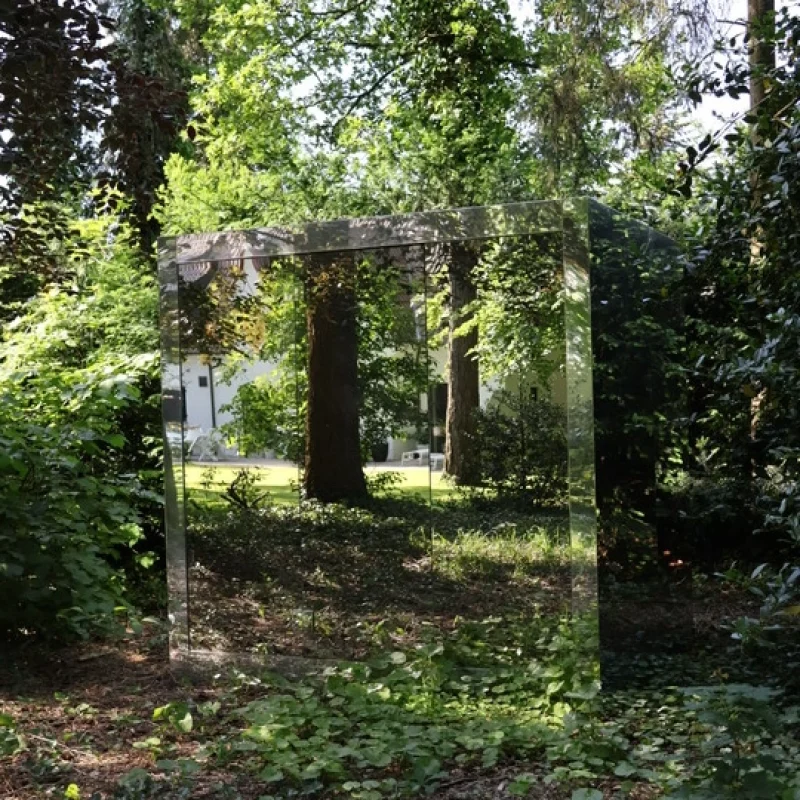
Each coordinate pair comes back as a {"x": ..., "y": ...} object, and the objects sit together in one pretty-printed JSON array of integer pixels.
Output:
[{"x": 503, "y": 303}]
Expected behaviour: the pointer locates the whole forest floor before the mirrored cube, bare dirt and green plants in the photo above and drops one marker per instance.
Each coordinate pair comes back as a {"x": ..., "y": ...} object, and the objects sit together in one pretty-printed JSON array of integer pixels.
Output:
[{"x": 110, "y": 720}]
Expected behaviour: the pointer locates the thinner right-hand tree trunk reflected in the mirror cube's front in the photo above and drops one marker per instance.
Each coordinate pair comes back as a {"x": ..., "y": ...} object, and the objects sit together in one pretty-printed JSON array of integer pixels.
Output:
[{"x": 463, "y": 398}]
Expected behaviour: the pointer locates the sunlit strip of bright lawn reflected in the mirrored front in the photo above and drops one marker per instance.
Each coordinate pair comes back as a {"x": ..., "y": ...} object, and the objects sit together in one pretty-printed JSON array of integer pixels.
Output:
[{"x": 207, "y": 482}]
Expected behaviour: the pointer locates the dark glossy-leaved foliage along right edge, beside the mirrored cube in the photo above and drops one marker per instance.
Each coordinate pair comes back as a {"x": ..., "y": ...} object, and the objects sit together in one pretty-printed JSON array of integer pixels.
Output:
[{"x": 741, "y": 295}]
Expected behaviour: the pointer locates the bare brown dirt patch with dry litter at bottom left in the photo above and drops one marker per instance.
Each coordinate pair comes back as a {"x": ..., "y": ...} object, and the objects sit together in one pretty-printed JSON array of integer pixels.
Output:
[{"x": 82, "y": 711}]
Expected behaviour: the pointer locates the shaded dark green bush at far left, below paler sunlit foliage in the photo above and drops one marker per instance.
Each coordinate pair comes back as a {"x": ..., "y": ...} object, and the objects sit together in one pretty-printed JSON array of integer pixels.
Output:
[{"x": 66, "y": 518}]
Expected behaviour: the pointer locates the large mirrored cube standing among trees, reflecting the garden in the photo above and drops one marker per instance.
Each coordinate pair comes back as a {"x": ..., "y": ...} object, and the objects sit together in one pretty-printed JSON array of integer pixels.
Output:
[{"x": 380, "y": 431}]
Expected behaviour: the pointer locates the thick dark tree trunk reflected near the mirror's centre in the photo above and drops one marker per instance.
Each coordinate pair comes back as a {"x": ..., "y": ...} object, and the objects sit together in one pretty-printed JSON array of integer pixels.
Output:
[{"x": 333, "y": 471}]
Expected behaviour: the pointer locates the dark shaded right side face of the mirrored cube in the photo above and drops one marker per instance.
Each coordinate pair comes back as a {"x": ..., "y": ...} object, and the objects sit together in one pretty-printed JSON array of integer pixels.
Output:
[{"x": 639, "y": 401}]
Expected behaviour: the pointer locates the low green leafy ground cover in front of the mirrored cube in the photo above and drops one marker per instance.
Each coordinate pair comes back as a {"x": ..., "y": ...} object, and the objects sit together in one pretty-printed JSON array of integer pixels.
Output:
[{"x": 521, "y": 703}]
